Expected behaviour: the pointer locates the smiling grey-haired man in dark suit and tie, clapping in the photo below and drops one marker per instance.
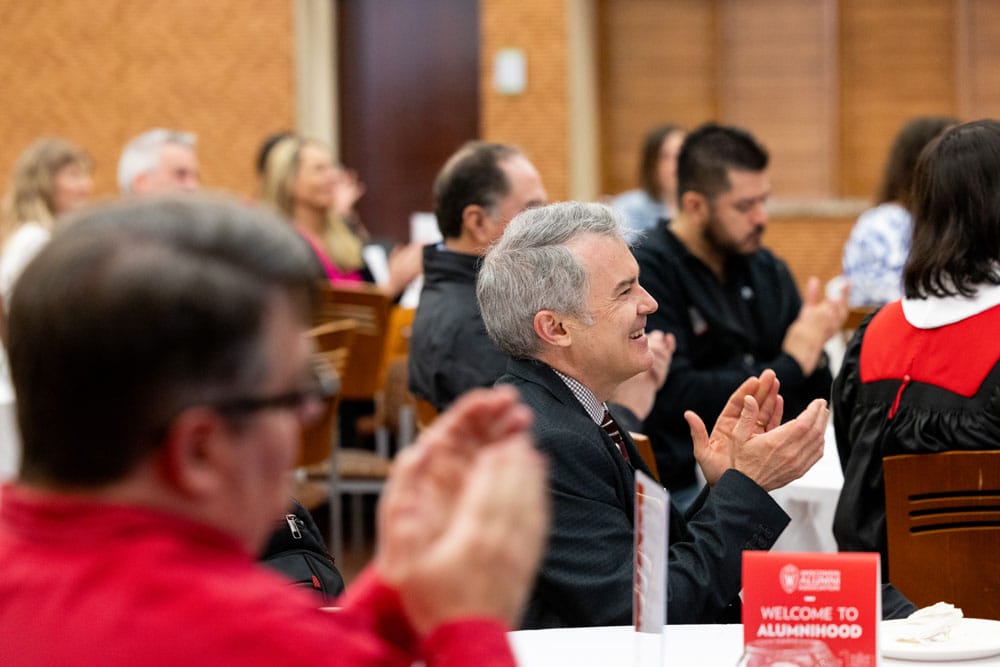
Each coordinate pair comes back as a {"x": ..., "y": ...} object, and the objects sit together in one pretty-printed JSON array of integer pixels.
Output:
[{"x": 559, "y": 293}]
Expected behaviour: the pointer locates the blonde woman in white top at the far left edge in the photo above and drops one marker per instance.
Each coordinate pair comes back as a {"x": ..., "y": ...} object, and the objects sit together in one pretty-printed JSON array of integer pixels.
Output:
[{"x": 50, "y": 178}]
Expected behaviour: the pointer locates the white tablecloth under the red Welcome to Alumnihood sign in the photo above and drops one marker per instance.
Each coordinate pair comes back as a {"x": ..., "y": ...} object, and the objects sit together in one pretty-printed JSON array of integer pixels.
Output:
[{"x": 684, "y": 646}]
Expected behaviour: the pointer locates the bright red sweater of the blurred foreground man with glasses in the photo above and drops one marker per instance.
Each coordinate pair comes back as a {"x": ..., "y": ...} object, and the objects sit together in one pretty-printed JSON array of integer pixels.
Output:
[{"x": 87, "y": 583}]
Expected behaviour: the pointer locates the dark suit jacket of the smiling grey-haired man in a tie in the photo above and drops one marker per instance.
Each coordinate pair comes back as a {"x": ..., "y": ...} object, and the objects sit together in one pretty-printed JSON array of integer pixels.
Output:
[{"x": 586, "y": 576}]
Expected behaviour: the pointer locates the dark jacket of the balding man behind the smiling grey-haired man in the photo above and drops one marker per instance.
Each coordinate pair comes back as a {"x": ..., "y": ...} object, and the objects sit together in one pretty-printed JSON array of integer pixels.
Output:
[{"x": 450, "y": 351}]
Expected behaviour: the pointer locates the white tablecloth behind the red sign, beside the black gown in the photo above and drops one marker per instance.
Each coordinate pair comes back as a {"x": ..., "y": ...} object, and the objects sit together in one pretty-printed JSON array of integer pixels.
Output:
[{"x": 810, "y": 501}]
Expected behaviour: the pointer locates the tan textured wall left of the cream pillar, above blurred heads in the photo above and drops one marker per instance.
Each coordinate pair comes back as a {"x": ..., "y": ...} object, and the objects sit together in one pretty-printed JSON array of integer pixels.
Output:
[{"x": 100, "y": 72}]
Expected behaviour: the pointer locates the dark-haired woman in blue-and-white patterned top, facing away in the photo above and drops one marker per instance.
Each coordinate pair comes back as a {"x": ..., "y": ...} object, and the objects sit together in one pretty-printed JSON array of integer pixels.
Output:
[{"x": 880, "y": 241}]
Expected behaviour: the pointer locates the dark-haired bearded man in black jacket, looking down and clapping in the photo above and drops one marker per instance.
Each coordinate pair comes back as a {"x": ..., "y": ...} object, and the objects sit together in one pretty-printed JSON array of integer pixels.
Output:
[{"x": 732, "y": 305}]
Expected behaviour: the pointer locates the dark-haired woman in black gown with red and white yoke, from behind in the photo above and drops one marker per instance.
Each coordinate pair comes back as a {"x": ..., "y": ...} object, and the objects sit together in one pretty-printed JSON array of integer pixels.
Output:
[{"x": 923, "y": 374}]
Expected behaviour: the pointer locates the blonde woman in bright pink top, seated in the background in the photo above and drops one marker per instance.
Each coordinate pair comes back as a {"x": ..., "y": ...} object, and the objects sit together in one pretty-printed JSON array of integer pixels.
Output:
[{"x": 303, "y": 183}]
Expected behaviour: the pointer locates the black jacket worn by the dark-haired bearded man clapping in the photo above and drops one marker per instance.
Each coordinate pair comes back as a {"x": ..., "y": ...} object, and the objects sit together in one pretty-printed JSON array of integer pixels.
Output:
[{"x": 725, "y": 333}]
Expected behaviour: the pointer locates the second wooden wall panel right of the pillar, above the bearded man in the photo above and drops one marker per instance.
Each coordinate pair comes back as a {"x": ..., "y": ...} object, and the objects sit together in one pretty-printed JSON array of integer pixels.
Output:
[{"x": 778, "y": 79}]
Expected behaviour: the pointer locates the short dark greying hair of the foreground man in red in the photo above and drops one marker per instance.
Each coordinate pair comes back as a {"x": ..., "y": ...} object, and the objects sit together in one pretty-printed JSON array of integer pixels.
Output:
[{"x": 136, "y": 311}]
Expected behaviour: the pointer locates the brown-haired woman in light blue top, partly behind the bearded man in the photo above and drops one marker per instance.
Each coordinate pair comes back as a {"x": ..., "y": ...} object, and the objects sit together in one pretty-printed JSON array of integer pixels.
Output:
[{"x": 656, "y": 199}]
